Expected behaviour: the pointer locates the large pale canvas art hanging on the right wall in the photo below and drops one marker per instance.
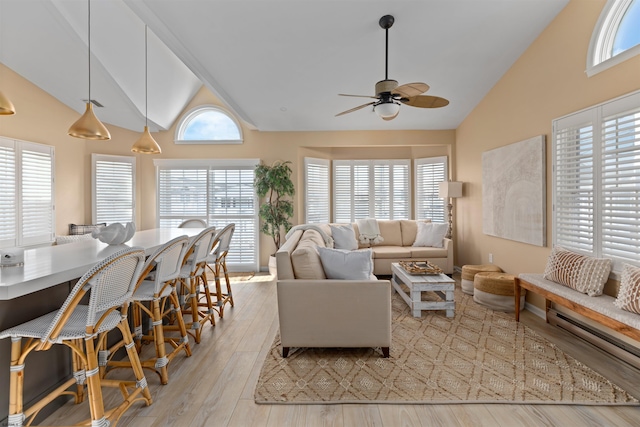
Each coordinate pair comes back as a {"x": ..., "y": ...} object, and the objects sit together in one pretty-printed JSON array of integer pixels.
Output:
[{"x": 514, "y": 192}]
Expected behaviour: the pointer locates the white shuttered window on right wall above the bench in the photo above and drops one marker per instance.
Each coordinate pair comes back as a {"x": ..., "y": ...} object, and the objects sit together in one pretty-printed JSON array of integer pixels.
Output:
[{"x": 589, "y": 232}]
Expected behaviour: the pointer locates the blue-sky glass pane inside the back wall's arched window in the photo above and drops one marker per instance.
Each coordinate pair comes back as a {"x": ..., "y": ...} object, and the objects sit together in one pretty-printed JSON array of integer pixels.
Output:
[{"x": 211, "y": 125}]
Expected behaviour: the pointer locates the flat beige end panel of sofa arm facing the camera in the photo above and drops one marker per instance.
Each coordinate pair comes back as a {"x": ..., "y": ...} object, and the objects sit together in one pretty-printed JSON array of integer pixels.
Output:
[{"x": 334, "y": 313}]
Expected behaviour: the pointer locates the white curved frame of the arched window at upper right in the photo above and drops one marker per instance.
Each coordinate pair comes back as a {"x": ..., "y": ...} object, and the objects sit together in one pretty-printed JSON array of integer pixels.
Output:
[{"x": 604, "y": 33}]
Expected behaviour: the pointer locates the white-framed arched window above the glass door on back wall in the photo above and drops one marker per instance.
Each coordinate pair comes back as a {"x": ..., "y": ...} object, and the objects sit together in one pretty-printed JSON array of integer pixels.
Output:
[{"x": 208, "y": 124}]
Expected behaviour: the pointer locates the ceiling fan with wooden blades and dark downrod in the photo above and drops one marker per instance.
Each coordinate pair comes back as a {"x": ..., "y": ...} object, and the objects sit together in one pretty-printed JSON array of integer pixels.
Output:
[{"x": 389, "y": 95}]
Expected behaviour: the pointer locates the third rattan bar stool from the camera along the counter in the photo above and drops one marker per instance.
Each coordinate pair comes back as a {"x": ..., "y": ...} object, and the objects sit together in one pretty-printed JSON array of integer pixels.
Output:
[{"x": 192, "y": 281}]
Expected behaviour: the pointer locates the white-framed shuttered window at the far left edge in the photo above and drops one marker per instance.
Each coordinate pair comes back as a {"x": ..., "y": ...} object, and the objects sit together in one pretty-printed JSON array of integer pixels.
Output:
[{"x": 19, "y": 238}]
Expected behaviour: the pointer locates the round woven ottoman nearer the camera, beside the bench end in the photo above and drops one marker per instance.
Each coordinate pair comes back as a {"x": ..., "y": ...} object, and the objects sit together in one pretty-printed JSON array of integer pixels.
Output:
[{"x": 496, "y": 291}]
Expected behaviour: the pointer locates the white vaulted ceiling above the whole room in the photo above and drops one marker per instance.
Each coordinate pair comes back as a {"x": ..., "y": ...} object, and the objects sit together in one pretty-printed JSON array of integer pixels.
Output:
[{"x": 277, "y": 65}]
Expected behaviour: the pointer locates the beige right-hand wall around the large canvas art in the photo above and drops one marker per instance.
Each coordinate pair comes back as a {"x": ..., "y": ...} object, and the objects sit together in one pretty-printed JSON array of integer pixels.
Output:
[{"x": 546, "y": 82}]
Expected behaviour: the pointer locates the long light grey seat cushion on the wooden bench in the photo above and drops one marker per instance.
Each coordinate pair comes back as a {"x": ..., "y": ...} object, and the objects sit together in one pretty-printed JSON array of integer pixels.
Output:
[{"x": 602, "y": 304}]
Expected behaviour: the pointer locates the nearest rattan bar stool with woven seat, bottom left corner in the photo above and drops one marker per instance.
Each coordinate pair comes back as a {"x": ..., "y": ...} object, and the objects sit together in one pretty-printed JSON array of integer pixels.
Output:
[{"x": 110, "y": 285}]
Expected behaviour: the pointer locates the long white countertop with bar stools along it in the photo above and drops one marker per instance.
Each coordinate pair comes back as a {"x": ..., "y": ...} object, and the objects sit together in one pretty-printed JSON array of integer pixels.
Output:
[{"x": 48, "y": 266}]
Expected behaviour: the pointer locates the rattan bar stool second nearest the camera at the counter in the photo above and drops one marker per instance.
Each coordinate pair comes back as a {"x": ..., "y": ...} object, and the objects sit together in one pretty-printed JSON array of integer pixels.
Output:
[{"x": 158, "y": 290}]
